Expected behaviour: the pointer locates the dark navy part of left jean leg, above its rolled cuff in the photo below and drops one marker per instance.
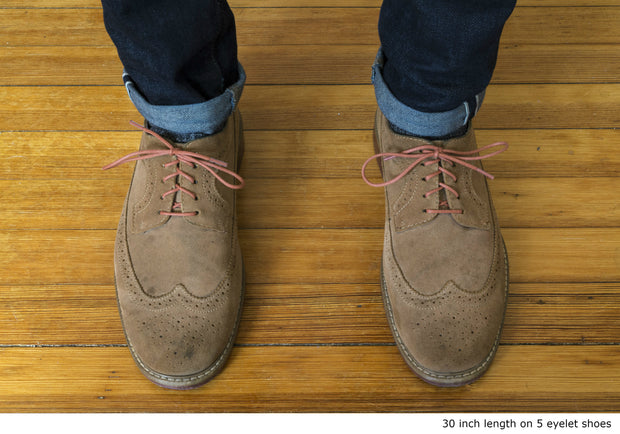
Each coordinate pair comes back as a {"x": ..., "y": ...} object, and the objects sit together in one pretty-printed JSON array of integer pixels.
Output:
[{"x": 176, "y": 52}]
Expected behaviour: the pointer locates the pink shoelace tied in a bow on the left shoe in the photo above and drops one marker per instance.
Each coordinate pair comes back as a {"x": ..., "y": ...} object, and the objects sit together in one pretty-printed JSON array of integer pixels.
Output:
[{"x": 180, "y": 156}]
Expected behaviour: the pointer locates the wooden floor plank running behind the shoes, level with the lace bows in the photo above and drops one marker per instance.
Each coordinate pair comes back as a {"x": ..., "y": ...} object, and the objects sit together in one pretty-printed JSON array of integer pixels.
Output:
[{"x": 305, "y": 154}]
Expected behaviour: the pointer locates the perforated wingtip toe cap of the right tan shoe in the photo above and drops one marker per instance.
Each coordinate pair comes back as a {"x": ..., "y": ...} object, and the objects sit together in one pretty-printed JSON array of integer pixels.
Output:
[{"x": 450, "y": 335}]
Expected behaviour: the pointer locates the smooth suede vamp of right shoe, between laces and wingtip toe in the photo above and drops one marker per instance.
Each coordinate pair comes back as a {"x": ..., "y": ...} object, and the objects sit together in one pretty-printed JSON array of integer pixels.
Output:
[{"x": 441, "y": 251}]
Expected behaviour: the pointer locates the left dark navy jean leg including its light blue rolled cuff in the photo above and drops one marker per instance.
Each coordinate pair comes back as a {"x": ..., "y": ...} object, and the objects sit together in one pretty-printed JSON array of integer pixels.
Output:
[{"x": 180, "y": 60}]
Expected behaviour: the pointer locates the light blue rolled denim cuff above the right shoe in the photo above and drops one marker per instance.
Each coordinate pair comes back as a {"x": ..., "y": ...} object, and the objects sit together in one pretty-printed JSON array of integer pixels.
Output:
[{"x": 416, "y": 122}]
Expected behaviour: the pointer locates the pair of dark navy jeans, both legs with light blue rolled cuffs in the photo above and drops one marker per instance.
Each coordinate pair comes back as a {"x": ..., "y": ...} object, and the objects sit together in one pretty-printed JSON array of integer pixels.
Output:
[{"x": 181, "y": 69}]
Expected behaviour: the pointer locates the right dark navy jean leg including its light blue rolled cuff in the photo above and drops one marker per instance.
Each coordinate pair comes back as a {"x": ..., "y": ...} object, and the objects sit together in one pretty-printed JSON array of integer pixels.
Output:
[{"x": 437, "y": 57}]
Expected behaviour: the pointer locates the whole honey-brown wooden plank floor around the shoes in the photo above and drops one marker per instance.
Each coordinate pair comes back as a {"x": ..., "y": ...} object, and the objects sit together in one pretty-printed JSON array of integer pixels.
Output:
[{"x": 314, "y": 335}]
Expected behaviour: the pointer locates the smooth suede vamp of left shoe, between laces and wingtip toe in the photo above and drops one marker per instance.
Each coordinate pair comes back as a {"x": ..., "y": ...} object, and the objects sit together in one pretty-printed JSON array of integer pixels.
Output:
[{"x": 180, "y": 253}]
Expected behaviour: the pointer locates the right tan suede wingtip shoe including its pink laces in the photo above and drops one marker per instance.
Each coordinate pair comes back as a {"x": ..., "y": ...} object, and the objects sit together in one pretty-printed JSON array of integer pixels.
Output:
[{"x": 445, "y": 269}]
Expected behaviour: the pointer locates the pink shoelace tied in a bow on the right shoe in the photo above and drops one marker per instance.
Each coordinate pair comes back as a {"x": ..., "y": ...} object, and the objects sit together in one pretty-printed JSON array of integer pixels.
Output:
[{"x": 431, "y": 154}]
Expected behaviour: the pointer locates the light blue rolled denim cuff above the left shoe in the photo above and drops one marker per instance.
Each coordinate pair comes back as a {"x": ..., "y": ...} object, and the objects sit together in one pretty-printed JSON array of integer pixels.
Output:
[{"x": 203, "y": 117}]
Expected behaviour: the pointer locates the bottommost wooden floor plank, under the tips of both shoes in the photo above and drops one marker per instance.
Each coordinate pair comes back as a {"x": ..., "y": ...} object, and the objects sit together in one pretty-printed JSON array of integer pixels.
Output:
[{"x": 574, "y": 378}]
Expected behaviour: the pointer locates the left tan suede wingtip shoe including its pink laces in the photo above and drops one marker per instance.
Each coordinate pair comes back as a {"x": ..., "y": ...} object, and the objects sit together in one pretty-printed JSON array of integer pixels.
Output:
[{"x": 178, "y": 265}]
